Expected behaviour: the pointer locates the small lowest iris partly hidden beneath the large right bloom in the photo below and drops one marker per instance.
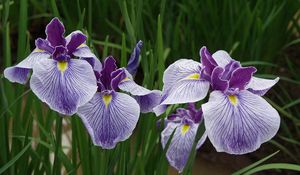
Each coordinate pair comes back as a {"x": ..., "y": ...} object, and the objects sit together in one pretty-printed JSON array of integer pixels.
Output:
[{"x": 186, "y": 122}]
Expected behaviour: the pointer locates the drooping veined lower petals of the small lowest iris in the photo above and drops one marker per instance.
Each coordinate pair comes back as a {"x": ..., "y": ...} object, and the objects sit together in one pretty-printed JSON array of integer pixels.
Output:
[{"x": 181, "y": 144}]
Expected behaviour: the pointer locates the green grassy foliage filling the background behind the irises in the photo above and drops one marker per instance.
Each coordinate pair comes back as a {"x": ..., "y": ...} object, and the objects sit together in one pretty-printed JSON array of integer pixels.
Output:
[{"x": 263, "y": 33}]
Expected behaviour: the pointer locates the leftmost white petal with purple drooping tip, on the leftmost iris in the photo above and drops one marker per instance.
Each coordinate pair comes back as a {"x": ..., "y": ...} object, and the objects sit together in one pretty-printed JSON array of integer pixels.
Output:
[{"x": 20, "y": 72}]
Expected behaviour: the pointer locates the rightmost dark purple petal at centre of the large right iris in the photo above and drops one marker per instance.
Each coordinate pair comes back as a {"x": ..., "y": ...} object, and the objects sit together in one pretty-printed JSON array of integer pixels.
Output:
[{"x": 241, "y": 77}]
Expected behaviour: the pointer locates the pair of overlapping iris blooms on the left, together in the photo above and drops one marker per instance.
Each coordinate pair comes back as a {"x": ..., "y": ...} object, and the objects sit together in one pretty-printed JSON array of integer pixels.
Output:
[{"x": 70, "y": 79}]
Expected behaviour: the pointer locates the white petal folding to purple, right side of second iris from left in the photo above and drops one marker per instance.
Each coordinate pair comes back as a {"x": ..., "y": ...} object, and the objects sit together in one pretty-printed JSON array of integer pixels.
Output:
[{"x": 146, "y": 98}]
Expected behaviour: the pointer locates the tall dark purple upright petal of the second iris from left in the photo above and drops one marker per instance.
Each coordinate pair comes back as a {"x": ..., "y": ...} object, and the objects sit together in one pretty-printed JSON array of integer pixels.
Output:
[{"x": 108, "y": 67}]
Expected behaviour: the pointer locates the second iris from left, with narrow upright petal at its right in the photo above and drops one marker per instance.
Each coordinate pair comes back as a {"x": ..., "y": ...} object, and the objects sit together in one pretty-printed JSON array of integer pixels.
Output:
[{"x": 111, "y": 116}]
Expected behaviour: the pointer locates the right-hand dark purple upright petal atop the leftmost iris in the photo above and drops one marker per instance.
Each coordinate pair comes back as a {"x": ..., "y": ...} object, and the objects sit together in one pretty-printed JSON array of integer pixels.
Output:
[{"x": 77, "y": 39}]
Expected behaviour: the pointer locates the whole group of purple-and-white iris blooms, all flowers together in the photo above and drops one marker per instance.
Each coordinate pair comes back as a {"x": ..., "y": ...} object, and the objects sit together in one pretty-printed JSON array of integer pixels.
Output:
[{"x": 70, "y": 79}]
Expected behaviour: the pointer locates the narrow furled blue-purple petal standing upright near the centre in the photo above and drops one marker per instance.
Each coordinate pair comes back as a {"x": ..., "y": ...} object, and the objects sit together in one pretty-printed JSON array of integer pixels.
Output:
[{"x": 133, "y": 62}]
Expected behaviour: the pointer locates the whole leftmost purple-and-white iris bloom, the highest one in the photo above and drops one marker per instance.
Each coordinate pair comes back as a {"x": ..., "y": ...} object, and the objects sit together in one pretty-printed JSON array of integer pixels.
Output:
[{"x": 58, "y": 79}]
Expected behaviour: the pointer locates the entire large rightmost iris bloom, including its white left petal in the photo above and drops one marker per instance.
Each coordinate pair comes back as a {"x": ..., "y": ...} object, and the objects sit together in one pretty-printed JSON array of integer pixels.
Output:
[{"x": 237, "y": 119}]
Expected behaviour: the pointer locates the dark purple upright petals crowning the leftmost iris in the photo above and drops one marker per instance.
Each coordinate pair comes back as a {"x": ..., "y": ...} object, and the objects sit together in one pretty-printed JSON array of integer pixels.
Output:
[{"x": 56, "y": 44}]
